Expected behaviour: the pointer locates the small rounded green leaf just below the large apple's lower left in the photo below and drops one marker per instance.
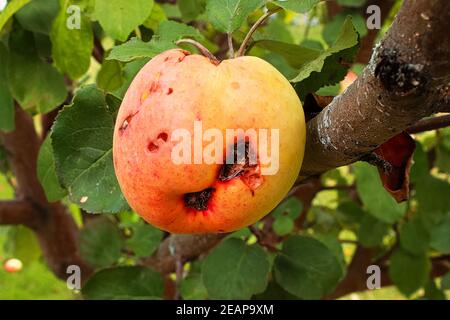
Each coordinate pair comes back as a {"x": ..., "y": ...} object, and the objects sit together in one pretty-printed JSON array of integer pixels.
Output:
[{"x": 144, "y": 240}]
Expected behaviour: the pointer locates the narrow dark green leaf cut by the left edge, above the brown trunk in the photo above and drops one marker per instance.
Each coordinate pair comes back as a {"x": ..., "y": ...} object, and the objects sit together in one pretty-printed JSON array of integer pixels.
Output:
[{"x": 6, "y": 100}]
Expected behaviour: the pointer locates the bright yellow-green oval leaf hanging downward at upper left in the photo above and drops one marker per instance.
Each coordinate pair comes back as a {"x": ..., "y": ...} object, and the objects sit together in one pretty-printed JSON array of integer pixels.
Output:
[{"x": 71, "y": 48}]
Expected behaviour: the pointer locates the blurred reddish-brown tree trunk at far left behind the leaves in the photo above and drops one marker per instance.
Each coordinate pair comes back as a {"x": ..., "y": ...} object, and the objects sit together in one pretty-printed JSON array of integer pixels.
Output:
[{"x": 52, "y": 224}]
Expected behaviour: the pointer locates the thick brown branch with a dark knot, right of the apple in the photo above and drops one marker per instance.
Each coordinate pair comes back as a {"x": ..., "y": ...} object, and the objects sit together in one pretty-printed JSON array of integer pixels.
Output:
[{"x": 397, "y": 88}]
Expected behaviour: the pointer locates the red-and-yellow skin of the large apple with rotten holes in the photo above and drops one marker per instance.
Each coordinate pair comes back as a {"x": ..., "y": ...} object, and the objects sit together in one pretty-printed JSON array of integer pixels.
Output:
[{"x": 170, "y": 92}]
